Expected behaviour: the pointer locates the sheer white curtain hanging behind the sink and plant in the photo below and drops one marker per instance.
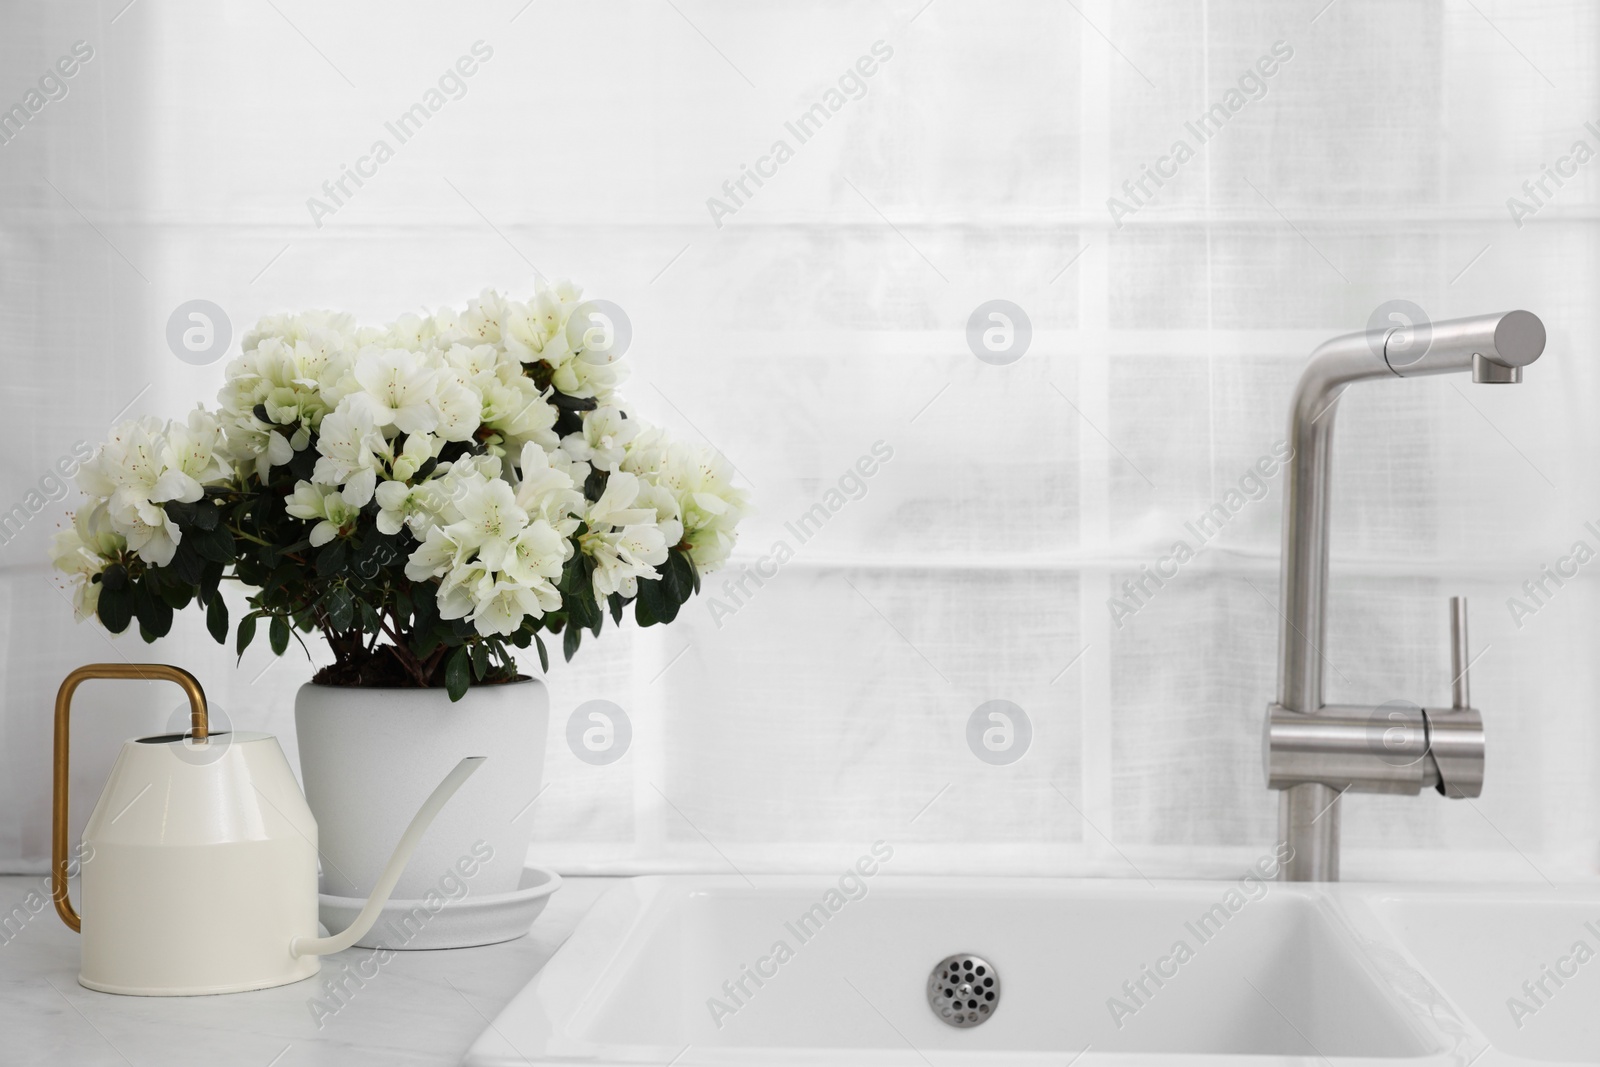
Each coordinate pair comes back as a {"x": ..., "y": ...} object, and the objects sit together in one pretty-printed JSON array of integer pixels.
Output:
[{"x": 830, "y": 706}]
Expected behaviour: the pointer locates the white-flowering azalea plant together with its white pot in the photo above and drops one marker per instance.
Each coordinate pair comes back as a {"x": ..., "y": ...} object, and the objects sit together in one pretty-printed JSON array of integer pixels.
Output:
[{"x": 428, "y": 498}]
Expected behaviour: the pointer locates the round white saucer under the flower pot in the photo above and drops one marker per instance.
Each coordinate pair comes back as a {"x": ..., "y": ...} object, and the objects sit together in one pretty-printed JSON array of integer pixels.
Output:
[{"x": 442, "y": 924}]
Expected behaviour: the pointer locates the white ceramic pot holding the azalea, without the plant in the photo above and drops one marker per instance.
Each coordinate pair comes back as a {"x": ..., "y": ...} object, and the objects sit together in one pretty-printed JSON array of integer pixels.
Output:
[{"x": 370, "y": 757}]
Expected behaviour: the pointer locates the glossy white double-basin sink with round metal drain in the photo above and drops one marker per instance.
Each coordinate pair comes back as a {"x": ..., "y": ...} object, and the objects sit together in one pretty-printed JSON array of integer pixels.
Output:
[{"x": 1278, "y": 975}]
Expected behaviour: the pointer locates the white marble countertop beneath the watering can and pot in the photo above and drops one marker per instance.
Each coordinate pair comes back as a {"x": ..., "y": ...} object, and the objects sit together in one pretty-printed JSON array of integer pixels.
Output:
[{"x": 418, "y": 1009}]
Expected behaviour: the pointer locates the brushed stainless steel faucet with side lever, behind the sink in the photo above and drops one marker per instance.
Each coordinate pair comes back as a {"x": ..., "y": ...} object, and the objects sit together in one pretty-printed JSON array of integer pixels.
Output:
[{"x": 1316, "y": 753}]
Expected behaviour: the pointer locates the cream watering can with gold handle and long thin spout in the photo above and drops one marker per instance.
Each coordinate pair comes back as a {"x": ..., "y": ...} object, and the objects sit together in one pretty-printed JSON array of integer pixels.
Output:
[{"x": 199, "y": 863}]
